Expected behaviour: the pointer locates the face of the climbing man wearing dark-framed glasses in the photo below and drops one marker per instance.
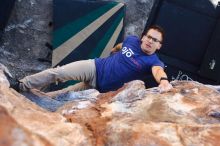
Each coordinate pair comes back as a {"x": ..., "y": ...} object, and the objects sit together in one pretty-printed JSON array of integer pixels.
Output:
[{"x": 151, "y": 41}]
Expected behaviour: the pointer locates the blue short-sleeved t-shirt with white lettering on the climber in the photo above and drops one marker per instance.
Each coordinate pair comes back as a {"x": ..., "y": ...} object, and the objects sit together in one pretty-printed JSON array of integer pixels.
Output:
[{"x": 130, "y": 63}]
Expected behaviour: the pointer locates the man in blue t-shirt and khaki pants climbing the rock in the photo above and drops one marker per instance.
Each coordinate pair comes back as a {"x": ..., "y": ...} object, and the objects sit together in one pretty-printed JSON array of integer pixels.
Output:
[{"x": 131, "y": 60}]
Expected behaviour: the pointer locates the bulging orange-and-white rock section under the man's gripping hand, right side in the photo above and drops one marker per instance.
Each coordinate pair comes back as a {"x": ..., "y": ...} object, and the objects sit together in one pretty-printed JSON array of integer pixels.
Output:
[{"x": 135, "y": 116}]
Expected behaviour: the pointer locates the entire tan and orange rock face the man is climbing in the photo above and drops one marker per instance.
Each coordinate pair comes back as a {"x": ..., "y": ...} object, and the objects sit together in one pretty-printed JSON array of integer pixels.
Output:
[{"x": 188, "y": 115}]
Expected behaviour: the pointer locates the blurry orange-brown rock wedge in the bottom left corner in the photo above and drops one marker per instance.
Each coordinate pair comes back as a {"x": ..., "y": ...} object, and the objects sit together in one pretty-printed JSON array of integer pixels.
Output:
[{"x": 12, "y": 134}]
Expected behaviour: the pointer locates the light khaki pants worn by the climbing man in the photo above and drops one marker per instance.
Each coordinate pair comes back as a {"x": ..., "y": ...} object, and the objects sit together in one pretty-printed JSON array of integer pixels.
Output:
[{"x": 84, "y": 71}]
